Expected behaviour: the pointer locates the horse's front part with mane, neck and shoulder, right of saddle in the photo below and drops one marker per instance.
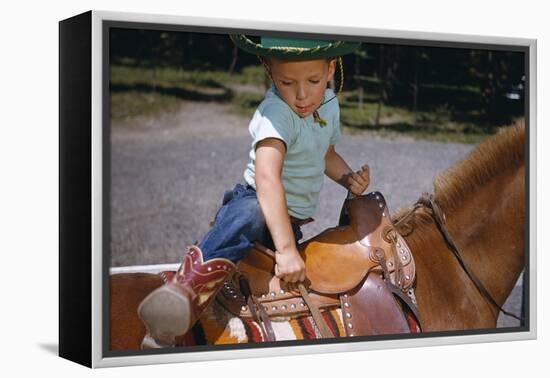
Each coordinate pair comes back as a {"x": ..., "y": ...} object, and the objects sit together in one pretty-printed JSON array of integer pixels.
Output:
[{"x": 483, "y": 199}]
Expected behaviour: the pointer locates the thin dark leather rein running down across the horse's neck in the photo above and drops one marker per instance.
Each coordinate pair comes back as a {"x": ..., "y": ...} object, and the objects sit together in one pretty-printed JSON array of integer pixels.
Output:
[{"x": 428, "y": 201}]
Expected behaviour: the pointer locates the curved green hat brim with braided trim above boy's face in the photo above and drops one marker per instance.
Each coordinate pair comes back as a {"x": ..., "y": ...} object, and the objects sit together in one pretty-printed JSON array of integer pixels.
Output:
[{"x": 330, "y": 50}]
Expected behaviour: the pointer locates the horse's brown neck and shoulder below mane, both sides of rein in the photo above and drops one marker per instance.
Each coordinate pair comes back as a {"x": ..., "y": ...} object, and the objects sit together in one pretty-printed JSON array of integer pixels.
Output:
[{"x": 488, "y": 229}]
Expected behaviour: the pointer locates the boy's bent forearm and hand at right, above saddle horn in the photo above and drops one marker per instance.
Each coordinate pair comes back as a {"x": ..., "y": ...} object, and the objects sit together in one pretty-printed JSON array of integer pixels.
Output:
[{"x": 338, "y": 170}]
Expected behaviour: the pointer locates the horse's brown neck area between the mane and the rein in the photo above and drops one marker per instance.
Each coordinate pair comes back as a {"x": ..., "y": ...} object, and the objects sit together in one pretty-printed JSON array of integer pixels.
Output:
[{"x": 489, "y": 228}]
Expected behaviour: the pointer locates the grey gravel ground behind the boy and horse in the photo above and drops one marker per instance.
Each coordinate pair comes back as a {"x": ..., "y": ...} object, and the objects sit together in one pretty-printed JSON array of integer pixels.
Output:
[{"x": 169, "y": 175}]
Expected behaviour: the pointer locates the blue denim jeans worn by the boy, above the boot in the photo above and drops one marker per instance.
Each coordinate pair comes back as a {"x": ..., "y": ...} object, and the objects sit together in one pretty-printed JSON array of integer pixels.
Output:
[{"x": 237, "y": 225}]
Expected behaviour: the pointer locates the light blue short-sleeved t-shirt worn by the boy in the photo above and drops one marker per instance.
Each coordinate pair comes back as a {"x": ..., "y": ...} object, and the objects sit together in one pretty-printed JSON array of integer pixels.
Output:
[{"x": 306, "y": 145}]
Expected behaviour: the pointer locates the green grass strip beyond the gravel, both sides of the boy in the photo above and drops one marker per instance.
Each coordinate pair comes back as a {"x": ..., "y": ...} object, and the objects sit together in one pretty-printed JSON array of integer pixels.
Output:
[{"x": 149, "y": 92}]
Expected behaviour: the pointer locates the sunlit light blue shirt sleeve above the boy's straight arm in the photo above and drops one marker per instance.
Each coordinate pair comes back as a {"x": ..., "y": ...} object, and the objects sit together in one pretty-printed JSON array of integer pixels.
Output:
[{"x": 272, "y": 121}]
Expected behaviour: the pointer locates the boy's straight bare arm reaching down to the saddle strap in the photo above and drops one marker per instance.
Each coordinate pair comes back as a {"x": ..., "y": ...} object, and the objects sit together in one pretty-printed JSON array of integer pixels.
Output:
[{"x": 271, "y": 195}]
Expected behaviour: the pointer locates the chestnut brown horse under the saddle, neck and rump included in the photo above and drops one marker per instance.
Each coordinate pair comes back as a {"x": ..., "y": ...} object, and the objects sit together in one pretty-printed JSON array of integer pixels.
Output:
[{"x": 483, "y": 200}]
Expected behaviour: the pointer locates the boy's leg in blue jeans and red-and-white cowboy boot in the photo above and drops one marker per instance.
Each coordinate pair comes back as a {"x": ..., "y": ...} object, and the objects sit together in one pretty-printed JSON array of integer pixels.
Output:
[{"x": 173, "y": 309}]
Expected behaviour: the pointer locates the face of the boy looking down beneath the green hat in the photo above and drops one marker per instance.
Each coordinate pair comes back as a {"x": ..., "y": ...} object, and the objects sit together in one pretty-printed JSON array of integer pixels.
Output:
[{"x": 302, "y": 84}]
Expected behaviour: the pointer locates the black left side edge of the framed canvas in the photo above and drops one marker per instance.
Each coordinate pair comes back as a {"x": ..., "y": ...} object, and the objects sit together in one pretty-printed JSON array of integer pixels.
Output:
[{"x": 75, "y": 172}]
